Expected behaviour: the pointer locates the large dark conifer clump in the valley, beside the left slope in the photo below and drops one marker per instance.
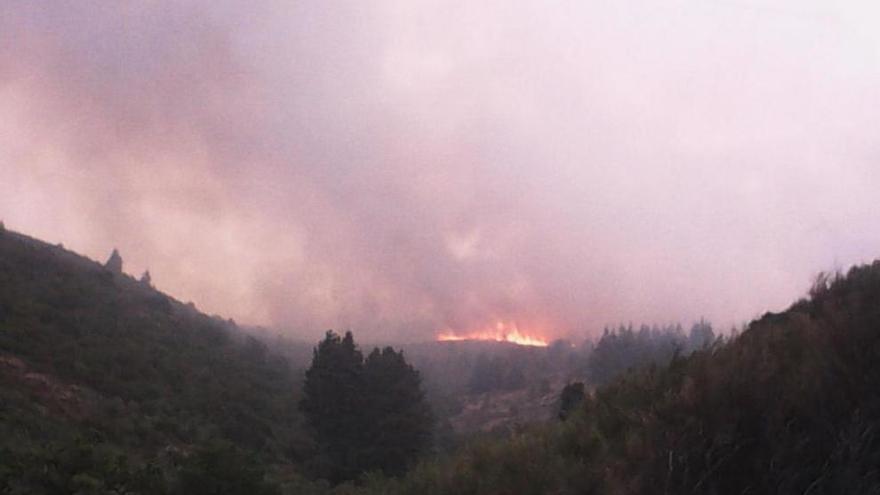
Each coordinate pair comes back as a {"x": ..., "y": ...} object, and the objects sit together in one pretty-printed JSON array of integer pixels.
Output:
[{"x": 365, "y": 415}]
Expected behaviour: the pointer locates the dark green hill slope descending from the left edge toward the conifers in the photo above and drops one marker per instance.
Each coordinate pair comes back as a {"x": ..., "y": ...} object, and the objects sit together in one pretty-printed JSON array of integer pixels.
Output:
[{"x": 97, "y": 360}]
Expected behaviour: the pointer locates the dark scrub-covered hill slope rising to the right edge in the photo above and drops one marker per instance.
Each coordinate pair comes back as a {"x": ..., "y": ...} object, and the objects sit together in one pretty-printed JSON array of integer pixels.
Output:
[{"x": 791, "y": 406}]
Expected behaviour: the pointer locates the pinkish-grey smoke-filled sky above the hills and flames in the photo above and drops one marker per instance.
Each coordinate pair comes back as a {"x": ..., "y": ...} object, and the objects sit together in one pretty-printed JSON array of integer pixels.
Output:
[{"x": 402, "y": 168}]
